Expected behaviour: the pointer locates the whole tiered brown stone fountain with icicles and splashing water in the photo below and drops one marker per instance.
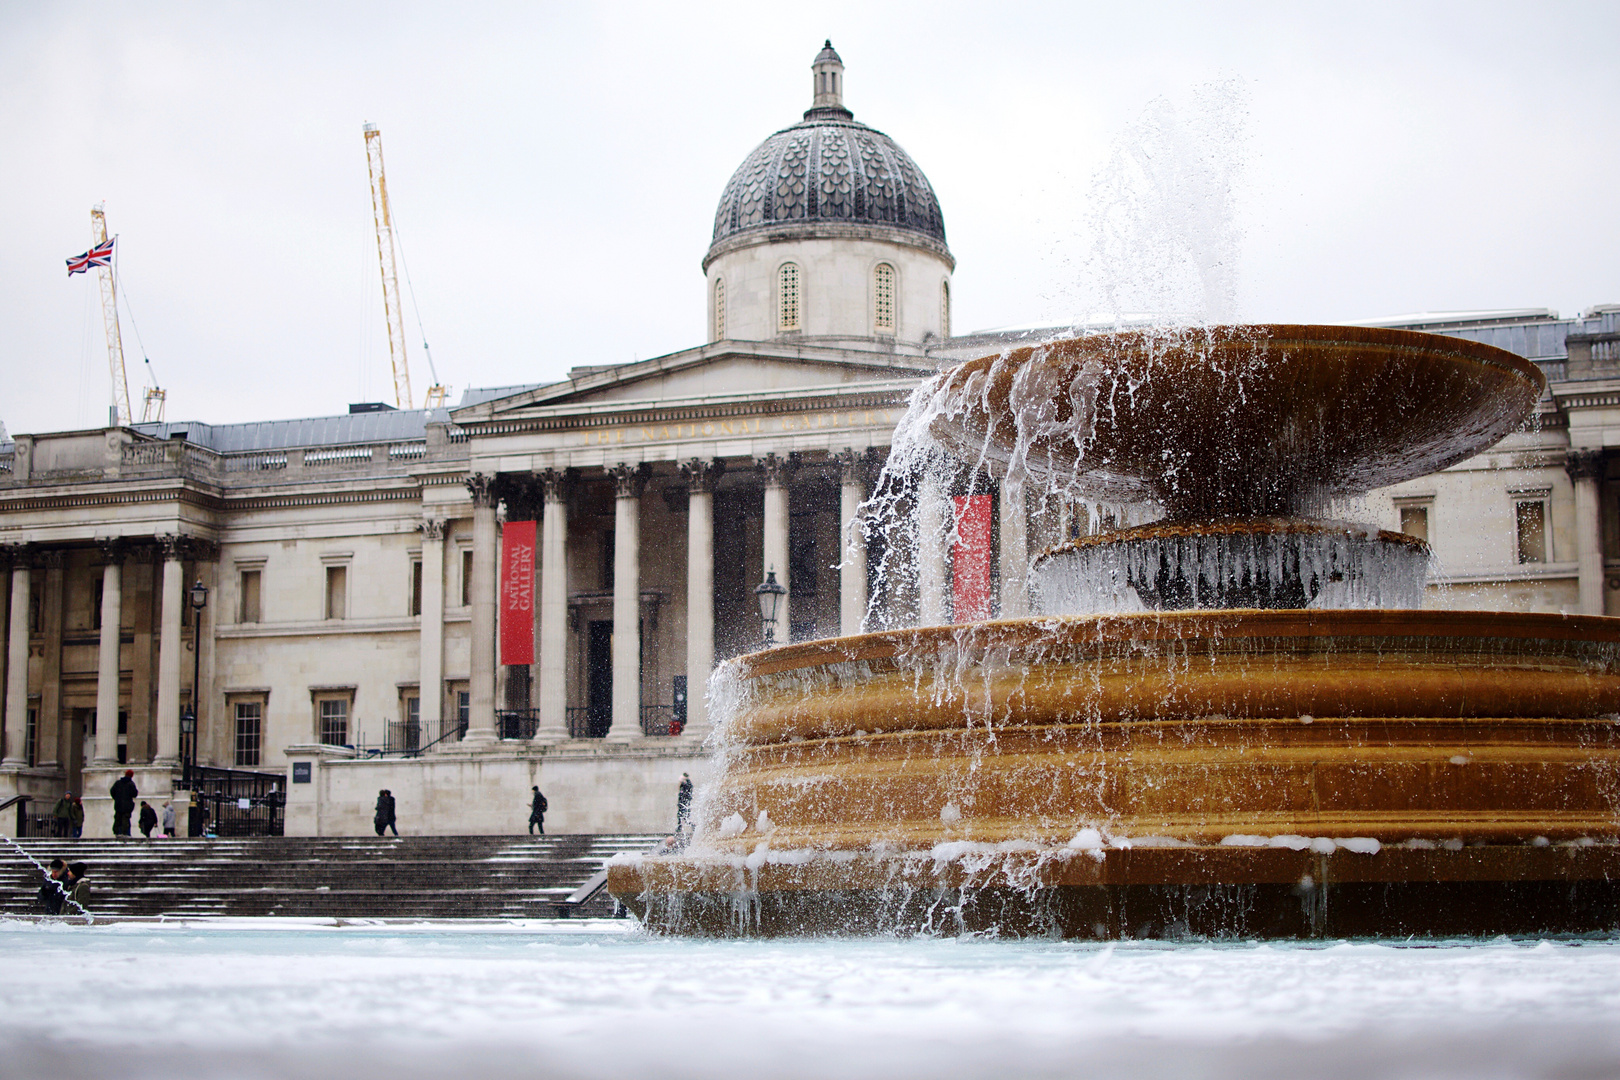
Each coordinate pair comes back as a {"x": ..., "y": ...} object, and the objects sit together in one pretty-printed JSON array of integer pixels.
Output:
[{"x": 1230, "y": 723}]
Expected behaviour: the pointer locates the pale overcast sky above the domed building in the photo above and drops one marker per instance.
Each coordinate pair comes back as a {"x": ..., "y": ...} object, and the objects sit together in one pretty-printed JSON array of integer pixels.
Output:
[{"x": 555, "y": 171}]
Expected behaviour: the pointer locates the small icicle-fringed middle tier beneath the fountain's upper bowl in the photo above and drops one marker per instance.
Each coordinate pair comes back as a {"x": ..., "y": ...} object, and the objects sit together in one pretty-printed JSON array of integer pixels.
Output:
[{"x": 1232, "y": 563}]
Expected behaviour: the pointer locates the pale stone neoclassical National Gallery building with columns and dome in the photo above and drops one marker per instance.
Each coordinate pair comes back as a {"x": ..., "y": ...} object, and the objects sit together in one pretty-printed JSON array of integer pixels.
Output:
[{"x": 534, "y": 587}]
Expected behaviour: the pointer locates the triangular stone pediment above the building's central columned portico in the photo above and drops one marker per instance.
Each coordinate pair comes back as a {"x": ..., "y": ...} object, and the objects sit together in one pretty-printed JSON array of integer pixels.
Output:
[{"x": 714, "y": 372}]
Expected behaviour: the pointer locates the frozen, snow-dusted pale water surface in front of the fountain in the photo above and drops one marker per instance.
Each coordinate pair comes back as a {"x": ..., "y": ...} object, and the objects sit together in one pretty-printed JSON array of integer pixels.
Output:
[{"x": 600, "y": 1000}]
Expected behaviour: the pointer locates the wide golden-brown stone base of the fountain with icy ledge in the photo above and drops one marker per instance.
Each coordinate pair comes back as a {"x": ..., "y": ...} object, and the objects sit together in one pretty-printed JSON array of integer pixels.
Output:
[{"x": 1274, "y": 773}]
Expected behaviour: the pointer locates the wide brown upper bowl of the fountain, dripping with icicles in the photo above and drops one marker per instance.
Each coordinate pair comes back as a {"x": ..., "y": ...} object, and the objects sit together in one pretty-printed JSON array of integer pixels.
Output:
[{"x": 1235, "y": 420}]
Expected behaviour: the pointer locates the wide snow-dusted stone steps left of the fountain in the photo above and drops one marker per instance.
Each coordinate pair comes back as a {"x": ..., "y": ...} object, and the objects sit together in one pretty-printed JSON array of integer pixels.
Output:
[{"x": 454, "y": 877}]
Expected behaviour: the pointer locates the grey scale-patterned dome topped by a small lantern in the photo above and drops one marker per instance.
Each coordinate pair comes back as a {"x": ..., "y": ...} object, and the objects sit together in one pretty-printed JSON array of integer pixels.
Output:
[{"x": 830, "y": 171}]
